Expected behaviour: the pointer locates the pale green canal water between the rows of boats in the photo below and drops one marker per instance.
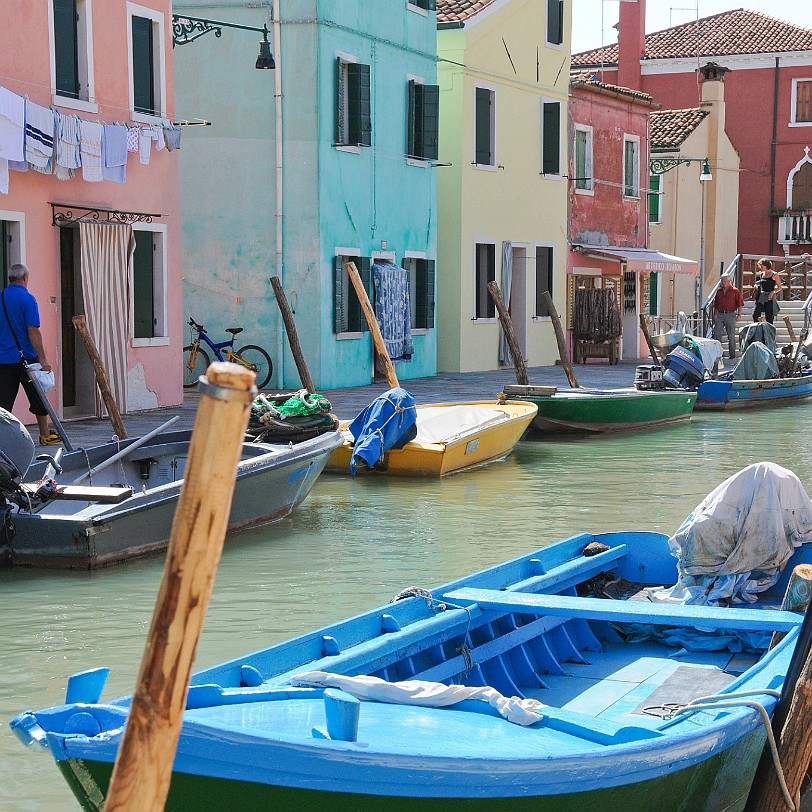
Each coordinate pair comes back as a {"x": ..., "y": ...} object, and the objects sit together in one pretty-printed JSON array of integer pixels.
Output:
[{"x": 355, "y": 544}]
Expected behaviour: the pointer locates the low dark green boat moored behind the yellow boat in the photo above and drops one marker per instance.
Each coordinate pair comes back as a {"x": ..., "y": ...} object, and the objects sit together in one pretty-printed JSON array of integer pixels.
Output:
[{"x": 594, "y": 411}]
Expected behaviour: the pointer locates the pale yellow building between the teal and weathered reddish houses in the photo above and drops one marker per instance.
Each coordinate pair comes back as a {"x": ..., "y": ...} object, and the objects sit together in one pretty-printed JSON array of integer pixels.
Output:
[{"x": 503, "y": 73}]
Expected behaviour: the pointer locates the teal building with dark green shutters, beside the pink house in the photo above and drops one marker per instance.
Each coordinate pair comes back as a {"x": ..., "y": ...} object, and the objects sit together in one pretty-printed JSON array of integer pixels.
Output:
[{"x": 327, "y": 158}]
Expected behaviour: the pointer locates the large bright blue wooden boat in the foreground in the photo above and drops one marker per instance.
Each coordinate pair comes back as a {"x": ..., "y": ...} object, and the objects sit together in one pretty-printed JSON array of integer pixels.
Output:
[{"x": 615, "y": 731}]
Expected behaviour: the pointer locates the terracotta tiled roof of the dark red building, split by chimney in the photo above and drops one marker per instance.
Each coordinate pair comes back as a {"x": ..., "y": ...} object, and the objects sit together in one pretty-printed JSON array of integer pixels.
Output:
[{"x": 732, "y": 32}]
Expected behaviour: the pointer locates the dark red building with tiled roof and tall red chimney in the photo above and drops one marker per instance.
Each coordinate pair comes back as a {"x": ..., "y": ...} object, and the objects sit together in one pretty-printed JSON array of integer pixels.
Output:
[{"x": 768, "y": 90}]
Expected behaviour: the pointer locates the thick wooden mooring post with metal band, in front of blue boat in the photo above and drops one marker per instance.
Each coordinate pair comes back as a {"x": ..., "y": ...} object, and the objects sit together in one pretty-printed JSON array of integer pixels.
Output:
[{"x": 143, "y": 768}]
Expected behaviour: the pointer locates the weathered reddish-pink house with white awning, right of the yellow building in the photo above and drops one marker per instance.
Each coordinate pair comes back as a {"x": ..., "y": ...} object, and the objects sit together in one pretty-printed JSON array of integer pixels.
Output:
[{"x": 608, "y": 202}]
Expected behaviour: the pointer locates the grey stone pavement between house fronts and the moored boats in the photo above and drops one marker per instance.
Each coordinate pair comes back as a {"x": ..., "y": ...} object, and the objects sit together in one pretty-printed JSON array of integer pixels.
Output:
[{"x": 348, "y": 402}]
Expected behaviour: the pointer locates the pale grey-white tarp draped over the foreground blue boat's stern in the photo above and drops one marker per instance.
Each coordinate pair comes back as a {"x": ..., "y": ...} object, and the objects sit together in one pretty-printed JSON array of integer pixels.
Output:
[{"x": 737, "y": 540}]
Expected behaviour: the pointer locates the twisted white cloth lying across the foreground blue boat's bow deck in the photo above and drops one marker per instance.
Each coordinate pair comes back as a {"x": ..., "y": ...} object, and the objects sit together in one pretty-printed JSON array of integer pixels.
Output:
[{"x": 426, "y": 694}]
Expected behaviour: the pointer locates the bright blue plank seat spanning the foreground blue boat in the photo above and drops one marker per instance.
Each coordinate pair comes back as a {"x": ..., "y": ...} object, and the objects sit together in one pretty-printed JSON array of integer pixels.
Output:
[{"x": 665, "y": 614}]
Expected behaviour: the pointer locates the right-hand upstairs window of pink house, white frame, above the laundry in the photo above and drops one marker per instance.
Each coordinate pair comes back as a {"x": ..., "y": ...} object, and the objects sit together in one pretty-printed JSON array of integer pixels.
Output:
[{"x": 147, "y": 63}]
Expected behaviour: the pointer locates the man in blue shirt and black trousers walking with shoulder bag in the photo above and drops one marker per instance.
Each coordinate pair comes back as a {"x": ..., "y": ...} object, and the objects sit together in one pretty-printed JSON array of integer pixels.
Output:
[{"x": 20, "y": 333}]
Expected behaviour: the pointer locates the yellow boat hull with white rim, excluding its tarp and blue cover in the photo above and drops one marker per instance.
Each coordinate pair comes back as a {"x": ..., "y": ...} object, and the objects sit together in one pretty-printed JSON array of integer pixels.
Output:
[{"x": 468, "y": 450}]
